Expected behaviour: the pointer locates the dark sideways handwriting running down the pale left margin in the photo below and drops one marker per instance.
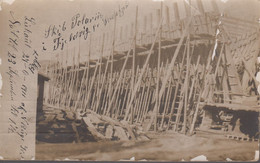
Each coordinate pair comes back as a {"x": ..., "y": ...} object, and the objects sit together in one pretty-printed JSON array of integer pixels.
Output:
[{"x": 23, "y": 61}]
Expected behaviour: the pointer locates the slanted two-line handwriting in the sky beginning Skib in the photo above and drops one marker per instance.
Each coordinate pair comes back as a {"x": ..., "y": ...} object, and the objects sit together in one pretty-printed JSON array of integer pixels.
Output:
[{"x": 79, "y": 27}]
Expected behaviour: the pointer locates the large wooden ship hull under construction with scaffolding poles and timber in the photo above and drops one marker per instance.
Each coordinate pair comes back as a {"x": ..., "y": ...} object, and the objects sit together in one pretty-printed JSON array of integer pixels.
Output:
[{"x": 189, "y": 75}]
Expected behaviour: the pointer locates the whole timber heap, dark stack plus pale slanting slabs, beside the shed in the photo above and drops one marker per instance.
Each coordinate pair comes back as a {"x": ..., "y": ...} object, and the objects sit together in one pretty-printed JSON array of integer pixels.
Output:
[{"x": 89, "y": 126}]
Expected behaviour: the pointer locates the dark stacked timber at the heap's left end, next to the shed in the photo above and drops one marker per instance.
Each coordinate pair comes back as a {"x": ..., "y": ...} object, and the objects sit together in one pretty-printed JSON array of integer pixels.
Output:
[{"x": 57, "y": 125}]
